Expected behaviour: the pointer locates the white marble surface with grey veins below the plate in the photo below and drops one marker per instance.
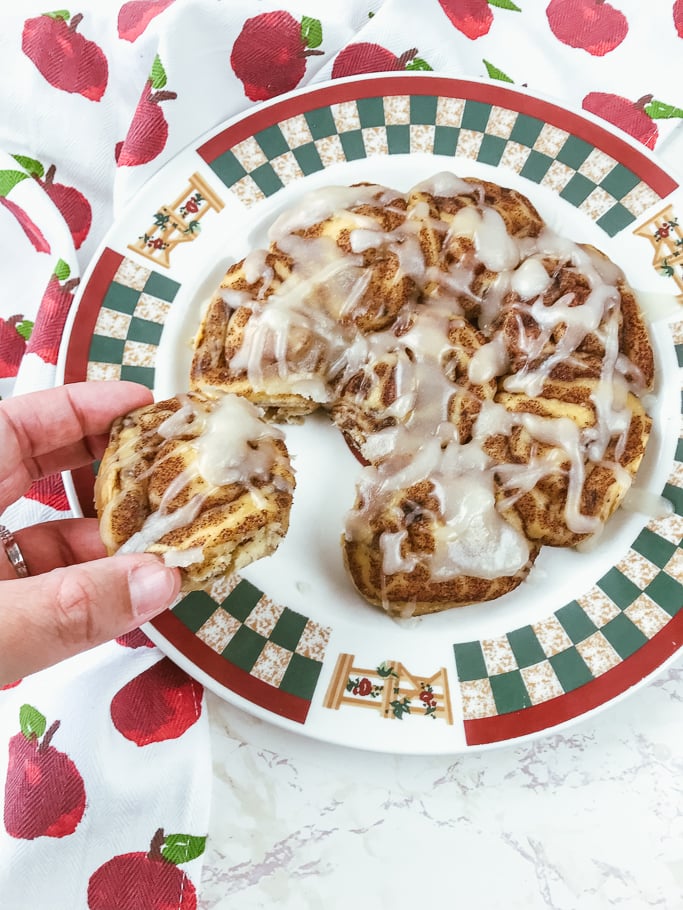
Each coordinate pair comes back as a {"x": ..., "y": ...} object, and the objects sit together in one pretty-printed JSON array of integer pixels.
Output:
[{"x": 591, "y": 818}]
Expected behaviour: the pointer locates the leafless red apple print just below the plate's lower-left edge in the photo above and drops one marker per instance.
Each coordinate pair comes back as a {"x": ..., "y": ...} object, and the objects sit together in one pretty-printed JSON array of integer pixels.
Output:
[{"x": 159, "y": 704}]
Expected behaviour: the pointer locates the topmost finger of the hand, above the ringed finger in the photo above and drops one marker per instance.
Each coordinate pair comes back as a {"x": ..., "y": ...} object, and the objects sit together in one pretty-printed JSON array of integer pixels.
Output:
[{"x": 58, "y": 429}]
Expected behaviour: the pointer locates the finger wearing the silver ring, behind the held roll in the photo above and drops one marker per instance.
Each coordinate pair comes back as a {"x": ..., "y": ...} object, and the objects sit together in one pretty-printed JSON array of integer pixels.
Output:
[{"x": 55, "y": 543}]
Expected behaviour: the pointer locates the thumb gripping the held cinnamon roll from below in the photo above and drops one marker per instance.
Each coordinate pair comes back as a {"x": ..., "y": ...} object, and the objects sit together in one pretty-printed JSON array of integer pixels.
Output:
[{"x": 50, "y": 617}]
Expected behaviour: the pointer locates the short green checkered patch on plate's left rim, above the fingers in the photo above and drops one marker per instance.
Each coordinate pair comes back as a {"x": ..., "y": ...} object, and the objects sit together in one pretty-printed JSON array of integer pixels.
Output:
[{"x": 129, "y": 326}]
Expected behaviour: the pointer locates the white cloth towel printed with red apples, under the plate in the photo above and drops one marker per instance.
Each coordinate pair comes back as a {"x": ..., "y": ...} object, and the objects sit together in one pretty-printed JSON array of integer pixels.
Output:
[{"x": 105, "y": 760}]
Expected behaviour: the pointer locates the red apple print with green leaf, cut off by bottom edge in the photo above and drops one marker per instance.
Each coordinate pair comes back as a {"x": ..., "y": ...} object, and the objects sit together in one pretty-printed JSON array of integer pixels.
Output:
[{"x": 148, "y": 881}]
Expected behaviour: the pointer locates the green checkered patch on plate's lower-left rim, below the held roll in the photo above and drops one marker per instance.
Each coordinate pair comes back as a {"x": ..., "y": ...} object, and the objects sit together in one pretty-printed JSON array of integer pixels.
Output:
[{"x": 273, "y": 643}]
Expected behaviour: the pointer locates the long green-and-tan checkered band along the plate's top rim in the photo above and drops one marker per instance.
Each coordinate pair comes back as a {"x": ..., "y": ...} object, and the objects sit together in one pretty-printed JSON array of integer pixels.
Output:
[{"x": 604, "y": 189}]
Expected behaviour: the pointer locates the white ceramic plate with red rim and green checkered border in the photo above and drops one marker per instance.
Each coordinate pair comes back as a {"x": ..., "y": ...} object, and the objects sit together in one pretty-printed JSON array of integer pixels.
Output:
[{"x": 290, "y": 640}]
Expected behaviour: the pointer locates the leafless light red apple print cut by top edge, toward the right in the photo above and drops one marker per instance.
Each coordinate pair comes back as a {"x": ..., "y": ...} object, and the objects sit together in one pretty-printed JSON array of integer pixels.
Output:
[{"x": 591, "y": 25}]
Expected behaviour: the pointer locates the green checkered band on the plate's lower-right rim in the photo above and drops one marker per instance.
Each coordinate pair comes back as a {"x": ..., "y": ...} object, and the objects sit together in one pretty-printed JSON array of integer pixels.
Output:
[{"x": 586, "y": 637}]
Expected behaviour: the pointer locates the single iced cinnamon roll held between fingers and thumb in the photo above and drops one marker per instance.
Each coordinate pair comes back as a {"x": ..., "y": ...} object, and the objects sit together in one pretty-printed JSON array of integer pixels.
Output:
[{"x": 200, "y": 480}]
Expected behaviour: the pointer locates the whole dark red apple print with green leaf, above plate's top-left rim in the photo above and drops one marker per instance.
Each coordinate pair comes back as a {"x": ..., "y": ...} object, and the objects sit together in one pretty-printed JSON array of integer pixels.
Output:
[{"x": 269, "y": 54}]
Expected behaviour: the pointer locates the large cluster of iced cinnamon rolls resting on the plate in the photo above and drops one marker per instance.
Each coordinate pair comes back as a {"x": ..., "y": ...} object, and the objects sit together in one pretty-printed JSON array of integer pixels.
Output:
[{"x": 489, "y": 372}]
